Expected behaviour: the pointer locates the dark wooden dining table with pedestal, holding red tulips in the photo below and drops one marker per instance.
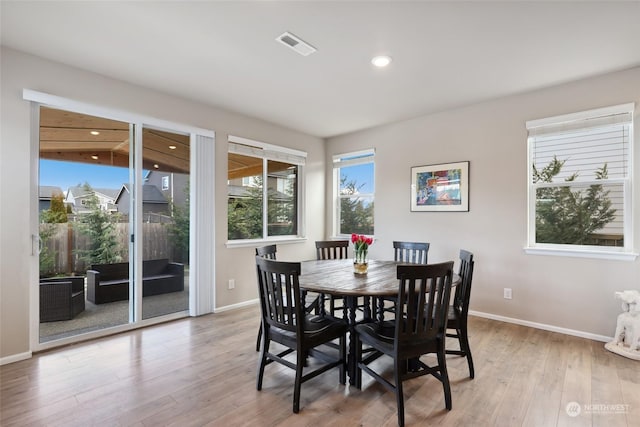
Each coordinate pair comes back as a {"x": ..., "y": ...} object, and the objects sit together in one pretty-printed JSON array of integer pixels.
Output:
[{"x": 337, "y": 278}]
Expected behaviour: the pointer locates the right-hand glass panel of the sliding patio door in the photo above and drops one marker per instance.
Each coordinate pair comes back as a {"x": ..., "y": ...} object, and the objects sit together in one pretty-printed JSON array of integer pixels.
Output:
[{"x": 165, "y": 222}]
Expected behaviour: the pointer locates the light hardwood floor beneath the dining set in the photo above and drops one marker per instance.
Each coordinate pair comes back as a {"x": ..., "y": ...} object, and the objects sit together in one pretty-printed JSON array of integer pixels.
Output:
[{"x": 201, "y": 371}]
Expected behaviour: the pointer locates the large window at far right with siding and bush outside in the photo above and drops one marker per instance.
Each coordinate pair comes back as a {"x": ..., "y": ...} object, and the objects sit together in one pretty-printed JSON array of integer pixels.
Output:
[{"x": 580, "y": 181}]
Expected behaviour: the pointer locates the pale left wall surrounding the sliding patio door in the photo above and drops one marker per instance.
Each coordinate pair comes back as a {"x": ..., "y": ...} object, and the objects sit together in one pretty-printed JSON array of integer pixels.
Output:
[{"x": 20, "y": 71}]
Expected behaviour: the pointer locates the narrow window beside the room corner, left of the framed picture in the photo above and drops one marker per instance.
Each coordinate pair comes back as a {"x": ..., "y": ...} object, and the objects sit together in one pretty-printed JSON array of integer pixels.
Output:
[{"x": 354, "y": 188}]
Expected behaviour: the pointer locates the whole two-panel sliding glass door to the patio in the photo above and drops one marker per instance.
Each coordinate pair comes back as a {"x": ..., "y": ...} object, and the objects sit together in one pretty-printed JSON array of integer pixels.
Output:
[{"x": 113, "y": 223}]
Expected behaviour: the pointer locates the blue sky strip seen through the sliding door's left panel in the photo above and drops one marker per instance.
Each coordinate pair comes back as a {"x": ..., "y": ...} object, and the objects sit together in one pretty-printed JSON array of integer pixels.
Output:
[{"x": 69, "y": 174}]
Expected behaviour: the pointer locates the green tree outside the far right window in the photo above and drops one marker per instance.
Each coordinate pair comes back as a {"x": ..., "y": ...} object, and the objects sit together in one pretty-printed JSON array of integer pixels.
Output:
[{"x": 571, "y": 217}]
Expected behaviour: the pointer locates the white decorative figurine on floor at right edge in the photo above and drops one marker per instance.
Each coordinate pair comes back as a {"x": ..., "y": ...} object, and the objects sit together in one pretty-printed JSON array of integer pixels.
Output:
[{"x": 626, "y": 341}]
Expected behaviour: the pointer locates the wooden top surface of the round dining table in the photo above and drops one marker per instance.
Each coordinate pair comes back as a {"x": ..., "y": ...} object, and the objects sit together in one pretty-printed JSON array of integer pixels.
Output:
[{"x": 336, "y": 277}]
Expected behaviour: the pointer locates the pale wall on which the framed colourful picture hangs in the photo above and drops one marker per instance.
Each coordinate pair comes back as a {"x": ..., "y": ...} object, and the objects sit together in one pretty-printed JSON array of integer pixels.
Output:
[{"x": 567, "y": 293}]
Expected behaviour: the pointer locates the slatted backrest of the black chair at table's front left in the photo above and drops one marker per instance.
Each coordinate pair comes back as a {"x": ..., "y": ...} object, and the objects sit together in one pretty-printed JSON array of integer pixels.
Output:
[{"x": 280, "y": 294}]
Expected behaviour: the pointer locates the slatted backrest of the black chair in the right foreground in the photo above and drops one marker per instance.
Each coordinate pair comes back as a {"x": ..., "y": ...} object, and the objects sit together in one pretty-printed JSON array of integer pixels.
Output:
[{"x": 423, "y": 302}]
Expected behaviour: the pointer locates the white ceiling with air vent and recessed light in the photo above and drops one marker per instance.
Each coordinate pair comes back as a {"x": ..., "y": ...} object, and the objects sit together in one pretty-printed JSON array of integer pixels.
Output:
[{"x": 445, "y": 54}]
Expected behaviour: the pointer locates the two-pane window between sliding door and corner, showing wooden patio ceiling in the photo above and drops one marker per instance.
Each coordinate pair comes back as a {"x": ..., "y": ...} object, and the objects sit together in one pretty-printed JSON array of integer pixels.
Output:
[{"x": 260, "y": 172}]
